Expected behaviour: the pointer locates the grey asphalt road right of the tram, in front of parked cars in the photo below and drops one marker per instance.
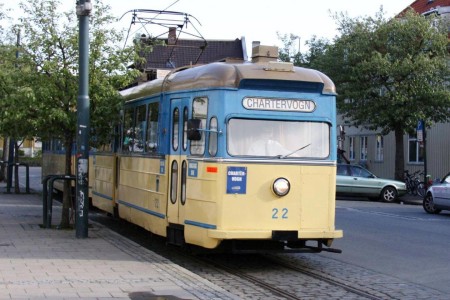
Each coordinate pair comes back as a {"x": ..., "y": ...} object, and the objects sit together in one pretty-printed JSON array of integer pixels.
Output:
[{"x": 397, "y": 240}]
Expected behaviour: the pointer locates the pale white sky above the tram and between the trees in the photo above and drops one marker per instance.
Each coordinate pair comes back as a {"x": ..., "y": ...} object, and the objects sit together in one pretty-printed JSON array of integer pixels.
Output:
[{"x": 251, "y": 19}]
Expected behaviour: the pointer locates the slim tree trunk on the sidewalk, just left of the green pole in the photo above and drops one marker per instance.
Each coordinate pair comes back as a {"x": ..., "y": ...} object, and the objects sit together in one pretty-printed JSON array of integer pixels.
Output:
[{"x": 67, "y": 192}]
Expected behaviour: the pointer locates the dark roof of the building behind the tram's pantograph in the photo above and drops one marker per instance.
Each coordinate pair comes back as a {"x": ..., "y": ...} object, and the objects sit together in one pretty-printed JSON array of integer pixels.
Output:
[{"x": 191, "y": 52}]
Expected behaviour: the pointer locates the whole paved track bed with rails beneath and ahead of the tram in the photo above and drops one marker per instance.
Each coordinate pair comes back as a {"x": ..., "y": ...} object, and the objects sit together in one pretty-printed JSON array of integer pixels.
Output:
[{"x": 274, "y": 276}]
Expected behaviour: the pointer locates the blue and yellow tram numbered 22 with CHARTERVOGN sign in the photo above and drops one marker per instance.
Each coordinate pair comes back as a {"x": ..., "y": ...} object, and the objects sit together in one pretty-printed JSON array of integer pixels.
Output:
[{"x": 234, "y": 155}]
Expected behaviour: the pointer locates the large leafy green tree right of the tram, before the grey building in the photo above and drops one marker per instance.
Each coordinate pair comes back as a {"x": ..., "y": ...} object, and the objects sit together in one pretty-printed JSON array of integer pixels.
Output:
[{"x": 390, "y": 74}]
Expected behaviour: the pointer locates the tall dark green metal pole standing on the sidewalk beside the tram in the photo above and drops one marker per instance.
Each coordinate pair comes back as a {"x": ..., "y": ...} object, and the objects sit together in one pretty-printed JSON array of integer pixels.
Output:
[{"x": 84, "y": 8}]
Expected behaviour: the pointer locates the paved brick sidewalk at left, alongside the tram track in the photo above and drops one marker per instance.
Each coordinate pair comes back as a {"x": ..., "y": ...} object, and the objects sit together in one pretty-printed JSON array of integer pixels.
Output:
[{"x": 38, "y": 263}]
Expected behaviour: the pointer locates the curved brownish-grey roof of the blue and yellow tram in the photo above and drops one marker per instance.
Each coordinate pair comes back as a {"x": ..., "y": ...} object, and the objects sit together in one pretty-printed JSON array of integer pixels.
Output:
[{"x": 225, "y": 75}]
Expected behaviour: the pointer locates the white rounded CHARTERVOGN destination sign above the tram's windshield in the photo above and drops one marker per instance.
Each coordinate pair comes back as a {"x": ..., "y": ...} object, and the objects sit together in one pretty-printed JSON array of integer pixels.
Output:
[{"x": 297, "y": 105}]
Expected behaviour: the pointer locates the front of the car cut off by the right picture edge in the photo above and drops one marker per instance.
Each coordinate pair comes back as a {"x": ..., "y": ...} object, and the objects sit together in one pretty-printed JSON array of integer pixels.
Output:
[{"x": 437, "y": 197}]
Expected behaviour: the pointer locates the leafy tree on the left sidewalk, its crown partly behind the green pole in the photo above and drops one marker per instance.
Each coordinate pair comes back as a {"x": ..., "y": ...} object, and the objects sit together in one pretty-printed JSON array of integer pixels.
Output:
[{"x": 48, "y": 66}]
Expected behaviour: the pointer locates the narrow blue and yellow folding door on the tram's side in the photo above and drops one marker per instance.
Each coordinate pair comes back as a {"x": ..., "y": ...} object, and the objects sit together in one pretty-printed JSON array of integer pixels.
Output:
[{"x": 178, "y": 161}]
